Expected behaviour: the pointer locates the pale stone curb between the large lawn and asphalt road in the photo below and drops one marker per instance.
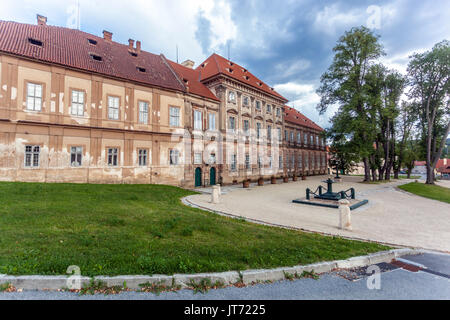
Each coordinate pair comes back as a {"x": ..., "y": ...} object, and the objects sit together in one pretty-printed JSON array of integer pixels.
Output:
[{"x": 226, "y": 278}]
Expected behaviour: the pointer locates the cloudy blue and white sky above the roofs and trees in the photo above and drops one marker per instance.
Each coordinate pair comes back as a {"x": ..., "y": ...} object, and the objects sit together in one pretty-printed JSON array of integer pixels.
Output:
[{"x": 286, "y": 43}]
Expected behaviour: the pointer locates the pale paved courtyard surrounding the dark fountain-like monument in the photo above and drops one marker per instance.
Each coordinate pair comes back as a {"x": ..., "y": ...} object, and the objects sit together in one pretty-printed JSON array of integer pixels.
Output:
[{"x": 392, "y": 215}]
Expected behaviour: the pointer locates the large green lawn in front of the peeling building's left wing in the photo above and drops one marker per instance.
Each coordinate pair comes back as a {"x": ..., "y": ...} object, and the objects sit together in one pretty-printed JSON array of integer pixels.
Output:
[{"x": 142, "y": 229}]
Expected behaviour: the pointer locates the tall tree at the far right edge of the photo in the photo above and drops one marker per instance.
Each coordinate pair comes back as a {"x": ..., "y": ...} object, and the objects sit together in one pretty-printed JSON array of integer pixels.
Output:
[{"x": 429, "y": 75}]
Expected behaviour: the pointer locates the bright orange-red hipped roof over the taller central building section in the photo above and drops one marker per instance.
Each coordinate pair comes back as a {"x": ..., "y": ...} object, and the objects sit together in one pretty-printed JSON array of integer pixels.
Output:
[{"x": 217, "y": 64}]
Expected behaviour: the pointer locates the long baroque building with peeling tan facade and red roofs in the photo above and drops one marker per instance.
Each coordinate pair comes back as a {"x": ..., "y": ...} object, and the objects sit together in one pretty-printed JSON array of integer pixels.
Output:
[{"x": 75, "y": 107}]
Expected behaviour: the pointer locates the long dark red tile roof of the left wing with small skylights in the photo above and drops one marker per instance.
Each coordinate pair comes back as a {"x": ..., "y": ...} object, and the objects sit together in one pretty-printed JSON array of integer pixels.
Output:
[{"x": 71, "y": 48}]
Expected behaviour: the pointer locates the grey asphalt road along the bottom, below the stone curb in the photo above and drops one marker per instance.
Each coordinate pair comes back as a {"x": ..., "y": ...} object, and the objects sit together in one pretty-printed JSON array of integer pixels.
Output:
[{"x": 432, "y": 281}]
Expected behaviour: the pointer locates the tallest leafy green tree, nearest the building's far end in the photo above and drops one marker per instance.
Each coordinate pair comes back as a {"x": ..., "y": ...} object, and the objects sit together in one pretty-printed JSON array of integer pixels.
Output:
[{"x": 344, "y": 83}]
